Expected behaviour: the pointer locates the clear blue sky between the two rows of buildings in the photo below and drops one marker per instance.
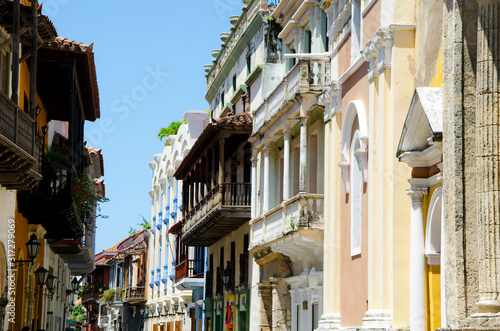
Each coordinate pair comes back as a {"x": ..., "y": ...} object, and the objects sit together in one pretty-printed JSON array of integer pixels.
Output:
[{"x": 149, "y": 58}]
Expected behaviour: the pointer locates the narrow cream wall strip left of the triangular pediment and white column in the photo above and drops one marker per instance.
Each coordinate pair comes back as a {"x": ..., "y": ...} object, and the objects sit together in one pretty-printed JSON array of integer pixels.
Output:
[{"x": 403, "y": 87}]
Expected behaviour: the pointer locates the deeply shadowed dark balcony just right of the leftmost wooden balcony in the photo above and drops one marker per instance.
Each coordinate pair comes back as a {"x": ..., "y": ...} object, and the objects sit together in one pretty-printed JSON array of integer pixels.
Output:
[{"x": 50, "y": 203}]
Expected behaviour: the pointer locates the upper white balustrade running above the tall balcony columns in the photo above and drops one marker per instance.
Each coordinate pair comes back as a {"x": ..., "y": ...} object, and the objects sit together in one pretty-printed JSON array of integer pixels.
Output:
[{"x": 305, "y": 77}]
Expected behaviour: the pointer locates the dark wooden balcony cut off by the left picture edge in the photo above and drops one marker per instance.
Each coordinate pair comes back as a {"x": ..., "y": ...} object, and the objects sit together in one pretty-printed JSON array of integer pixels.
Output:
[{"x": 20, "y": 148}]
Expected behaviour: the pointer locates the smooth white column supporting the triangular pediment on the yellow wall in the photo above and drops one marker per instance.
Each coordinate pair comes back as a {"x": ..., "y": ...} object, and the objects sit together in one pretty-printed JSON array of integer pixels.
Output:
[{"x": 417, "y": 260}]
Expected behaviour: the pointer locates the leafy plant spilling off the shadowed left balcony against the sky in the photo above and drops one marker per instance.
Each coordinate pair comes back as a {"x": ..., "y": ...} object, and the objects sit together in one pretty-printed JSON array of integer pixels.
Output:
[{"x": 88, "y": 201}]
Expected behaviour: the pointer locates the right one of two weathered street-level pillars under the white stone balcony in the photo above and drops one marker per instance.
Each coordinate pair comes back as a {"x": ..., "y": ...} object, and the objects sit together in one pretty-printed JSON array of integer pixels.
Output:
[{"x": 281, "y": 304}]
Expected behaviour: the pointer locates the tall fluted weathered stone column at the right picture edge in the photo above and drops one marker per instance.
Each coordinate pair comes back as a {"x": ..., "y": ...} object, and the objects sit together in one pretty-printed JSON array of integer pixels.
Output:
[{"x": 488, "y": 155}]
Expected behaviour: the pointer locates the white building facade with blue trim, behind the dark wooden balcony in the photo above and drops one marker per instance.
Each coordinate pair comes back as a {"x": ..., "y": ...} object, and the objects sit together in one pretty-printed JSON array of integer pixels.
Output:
[{"x": 176, "y": 271}]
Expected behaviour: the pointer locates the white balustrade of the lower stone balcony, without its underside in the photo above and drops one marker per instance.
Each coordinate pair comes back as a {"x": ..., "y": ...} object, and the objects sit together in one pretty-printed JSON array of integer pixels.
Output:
[{"x": 304, "y": 211}]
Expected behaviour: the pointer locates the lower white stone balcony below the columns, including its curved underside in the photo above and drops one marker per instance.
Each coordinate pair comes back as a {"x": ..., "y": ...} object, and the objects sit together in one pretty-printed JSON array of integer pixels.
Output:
[{"x": 294, "y": 228}]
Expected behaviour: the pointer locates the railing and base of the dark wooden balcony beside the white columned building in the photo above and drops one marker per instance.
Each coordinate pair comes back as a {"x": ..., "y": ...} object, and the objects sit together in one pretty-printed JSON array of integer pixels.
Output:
[{"x": 222, "y": 210}]
